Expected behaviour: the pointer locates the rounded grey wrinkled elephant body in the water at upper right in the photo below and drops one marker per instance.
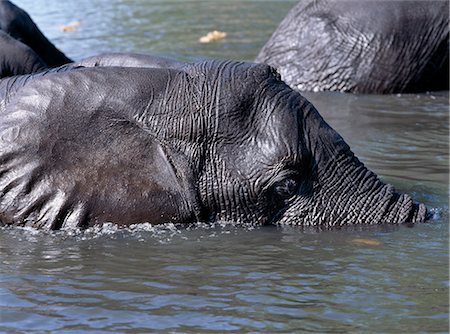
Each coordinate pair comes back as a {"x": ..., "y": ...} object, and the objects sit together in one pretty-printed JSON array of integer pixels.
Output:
[{"x": 377, "y": 47}]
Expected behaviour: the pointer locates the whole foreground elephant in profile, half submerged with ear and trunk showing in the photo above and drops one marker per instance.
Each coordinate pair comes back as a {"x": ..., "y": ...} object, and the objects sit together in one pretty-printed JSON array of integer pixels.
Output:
[{"x": 218, "y": 140}]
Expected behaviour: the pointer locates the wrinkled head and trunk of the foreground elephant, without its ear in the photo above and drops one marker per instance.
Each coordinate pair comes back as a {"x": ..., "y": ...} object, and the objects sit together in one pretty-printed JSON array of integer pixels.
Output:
[{"x": 264, "y": 154}]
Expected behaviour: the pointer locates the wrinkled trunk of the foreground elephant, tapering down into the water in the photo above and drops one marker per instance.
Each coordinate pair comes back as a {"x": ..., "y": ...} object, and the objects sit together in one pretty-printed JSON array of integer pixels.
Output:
[{"x": 340, "y": 190}]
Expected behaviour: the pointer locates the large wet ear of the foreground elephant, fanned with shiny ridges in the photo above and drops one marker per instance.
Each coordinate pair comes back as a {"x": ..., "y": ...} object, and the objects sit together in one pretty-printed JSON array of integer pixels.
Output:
[{"x": 63, "y": 164}]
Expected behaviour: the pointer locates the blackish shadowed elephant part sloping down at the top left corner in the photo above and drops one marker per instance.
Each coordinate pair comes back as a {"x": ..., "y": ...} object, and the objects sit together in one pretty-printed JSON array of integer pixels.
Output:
[{"x": 17, "y": 23}]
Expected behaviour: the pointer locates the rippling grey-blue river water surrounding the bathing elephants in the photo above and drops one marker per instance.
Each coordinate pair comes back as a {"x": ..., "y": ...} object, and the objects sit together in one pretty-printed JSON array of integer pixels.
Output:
[{"x": 232, "y": 278}]
